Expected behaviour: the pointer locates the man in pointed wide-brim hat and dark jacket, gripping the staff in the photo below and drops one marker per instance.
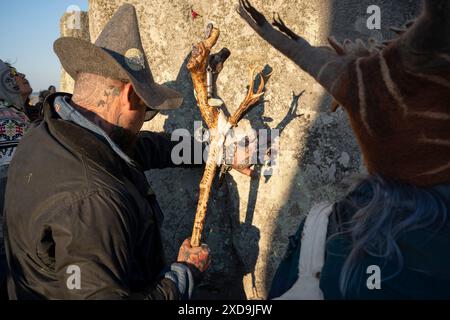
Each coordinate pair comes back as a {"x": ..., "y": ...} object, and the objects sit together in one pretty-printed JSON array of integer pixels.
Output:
[{"x": 81, "y": 220}]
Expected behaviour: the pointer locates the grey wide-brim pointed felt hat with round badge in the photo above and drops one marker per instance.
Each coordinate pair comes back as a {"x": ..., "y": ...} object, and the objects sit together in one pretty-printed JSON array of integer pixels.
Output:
[{"x": 118, "y": 54}]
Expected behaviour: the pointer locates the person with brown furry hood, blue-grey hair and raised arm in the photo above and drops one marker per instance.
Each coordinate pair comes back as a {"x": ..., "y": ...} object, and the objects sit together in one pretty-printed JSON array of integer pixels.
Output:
[{"x": 389, "y": 237}]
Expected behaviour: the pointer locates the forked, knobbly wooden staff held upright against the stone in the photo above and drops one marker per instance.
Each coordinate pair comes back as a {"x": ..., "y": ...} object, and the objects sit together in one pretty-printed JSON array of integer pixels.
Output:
[{"x": 216, "y": 121}]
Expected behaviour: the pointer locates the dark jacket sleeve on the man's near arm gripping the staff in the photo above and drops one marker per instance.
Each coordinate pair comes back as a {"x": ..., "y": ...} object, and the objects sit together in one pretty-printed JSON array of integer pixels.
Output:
[{"x": 94, "y": 243}]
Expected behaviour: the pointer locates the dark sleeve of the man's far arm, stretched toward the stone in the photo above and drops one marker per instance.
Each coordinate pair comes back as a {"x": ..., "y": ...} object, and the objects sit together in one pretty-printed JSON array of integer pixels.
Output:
[{"x": 157, "y": 151}]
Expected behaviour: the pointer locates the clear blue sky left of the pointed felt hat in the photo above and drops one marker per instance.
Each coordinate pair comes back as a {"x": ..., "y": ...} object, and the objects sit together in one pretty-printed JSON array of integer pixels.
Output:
[{"x": 27, "y": 31}]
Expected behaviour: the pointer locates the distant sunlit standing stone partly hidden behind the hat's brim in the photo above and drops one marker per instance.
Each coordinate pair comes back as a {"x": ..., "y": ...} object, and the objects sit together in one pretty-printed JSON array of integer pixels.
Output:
[{"x": 73, "y": 24}]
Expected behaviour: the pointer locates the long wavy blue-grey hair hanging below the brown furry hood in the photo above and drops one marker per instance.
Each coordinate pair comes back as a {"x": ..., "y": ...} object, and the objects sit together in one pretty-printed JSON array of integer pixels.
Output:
[{"x": 391, "y": 210}]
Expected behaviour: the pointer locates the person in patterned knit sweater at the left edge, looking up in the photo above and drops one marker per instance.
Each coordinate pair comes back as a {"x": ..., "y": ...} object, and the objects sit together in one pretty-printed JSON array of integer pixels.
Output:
[{"x": 14, "y": 93}]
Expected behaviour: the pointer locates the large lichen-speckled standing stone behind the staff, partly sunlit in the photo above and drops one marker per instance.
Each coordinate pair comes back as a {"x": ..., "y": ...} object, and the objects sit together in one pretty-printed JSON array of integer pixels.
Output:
[{"x": 249, "y": 220}]
